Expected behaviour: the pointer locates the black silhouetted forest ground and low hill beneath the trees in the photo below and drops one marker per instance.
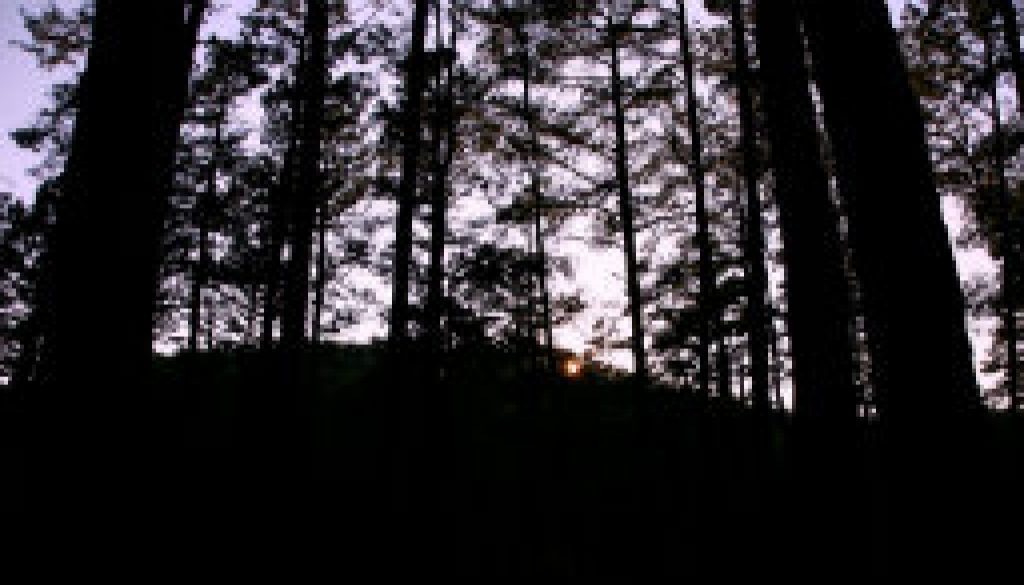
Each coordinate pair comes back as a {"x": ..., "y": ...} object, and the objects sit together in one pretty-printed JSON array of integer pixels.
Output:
[{"x": 358, "y": 470}]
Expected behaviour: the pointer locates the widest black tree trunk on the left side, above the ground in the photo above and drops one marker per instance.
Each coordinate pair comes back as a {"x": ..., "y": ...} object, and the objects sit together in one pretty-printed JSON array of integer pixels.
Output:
[{"x": 108, "y": 267}]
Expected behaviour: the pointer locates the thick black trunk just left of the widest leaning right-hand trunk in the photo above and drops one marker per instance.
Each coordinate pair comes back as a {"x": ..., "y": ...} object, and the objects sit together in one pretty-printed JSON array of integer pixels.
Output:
[{"x": 820, "y": 306}]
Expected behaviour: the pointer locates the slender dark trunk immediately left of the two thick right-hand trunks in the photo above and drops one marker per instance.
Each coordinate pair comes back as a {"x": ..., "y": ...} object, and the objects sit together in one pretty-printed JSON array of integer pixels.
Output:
[{"x": 754, "y": 246}]
